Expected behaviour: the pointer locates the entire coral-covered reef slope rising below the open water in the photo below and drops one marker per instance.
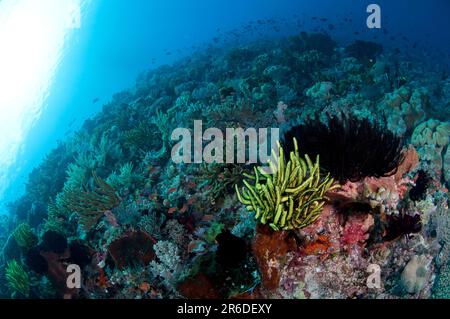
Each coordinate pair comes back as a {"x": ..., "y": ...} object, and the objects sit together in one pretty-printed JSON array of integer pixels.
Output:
[{"x": 110, "y": 199}]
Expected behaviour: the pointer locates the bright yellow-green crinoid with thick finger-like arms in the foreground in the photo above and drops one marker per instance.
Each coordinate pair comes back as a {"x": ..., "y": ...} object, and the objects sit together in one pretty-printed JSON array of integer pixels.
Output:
[{"x": 292, "y": 196}]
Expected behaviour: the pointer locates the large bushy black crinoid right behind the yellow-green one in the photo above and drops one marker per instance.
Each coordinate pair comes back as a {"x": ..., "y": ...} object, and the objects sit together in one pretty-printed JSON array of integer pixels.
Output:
[{"x": 349, "y": 148}]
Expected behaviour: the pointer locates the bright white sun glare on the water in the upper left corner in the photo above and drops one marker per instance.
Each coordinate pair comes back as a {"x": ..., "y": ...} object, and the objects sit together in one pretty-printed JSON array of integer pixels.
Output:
[{"x": 32, "y": 37}]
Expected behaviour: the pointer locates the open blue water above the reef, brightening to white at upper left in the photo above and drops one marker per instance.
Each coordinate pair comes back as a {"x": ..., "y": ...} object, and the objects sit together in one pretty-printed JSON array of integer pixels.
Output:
[{"x": 116, "y": 40}]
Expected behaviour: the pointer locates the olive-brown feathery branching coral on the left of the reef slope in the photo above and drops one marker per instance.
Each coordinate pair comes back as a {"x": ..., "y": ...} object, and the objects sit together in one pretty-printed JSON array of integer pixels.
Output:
[{"x": 91, "y": 205}]
